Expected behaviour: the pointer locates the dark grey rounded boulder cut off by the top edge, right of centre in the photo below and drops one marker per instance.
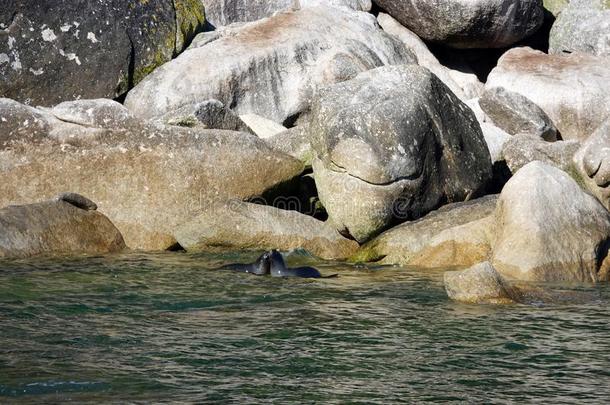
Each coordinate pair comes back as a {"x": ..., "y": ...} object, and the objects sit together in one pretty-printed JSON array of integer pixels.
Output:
[{"x": 467, "y": 23}]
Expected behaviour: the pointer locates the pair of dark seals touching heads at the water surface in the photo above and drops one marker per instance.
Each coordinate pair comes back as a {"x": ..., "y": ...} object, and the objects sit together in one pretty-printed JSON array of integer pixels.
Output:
[{"x": 272, "y": 263}]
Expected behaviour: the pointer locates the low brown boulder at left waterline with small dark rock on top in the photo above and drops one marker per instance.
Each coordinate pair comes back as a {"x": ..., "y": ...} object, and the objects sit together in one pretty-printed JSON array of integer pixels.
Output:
[{"x": 55, "y": 228}]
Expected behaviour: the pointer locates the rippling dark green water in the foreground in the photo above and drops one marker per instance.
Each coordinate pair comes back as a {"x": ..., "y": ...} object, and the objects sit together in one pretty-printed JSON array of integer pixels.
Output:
[{"x": 142, "y": 328}]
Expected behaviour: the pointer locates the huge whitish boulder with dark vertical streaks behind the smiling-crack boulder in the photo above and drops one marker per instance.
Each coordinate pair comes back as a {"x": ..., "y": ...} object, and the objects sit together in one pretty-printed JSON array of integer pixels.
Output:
[{"x": 271, "y": 67}]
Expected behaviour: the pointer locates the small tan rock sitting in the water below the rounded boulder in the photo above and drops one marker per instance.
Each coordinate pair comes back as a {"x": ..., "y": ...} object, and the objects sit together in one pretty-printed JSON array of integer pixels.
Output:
[{"x": 480, "y": 284}]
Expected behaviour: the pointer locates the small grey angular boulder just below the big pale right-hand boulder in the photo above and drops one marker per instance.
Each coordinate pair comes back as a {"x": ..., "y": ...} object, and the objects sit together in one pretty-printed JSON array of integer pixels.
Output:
[{"x": 516, "y": 114}]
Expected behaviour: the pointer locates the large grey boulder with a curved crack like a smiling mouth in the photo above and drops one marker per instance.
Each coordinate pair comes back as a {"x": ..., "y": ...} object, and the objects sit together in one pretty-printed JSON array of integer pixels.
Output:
[{"x": 393, "y": 144}]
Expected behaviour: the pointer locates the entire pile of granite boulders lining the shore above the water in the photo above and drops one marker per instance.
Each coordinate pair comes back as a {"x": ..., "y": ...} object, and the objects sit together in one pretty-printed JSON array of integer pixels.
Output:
[{"x": 207, "y": 125}]
